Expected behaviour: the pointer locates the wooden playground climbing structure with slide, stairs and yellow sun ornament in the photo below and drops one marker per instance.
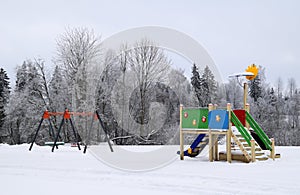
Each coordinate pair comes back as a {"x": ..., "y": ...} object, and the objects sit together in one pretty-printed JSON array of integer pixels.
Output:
[{"x": 211, "y": 123}]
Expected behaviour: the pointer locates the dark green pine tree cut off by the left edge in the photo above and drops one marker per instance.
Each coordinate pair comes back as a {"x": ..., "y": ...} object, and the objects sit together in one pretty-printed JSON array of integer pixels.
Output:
[{"x": 4, "y": 98}]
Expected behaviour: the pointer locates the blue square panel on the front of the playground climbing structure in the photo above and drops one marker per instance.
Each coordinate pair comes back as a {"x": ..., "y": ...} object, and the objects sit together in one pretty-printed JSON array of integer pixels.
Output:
[{"x": 218, "y": 119}]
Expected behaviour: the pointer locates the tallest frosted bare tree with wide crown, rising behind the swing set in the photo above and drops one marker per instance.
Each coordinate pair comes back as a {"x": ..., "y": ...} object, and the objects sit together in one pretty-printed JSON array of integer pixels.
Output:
[{"x": 78, "y": 52}]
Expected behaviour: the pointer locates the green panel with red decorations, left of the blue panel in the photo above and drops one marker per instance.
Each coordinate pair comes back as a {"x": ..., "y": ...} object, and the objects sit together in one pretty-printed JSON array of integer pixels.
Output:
[{"x": 196, "y": 118}]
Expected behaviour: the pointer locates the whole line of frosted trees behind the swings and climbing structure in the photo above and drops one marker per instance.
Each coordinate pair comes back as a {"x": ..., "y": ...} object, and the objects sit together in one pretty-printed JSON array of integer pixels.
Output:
[{"x": 135, "y": 90}]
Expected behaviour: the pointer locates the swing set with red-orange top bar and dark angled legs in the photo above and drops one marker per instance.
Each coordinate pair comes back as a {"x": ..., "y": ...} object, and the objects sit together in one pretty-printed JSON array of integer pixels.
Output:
[{"x": 67, "y": 116}]
